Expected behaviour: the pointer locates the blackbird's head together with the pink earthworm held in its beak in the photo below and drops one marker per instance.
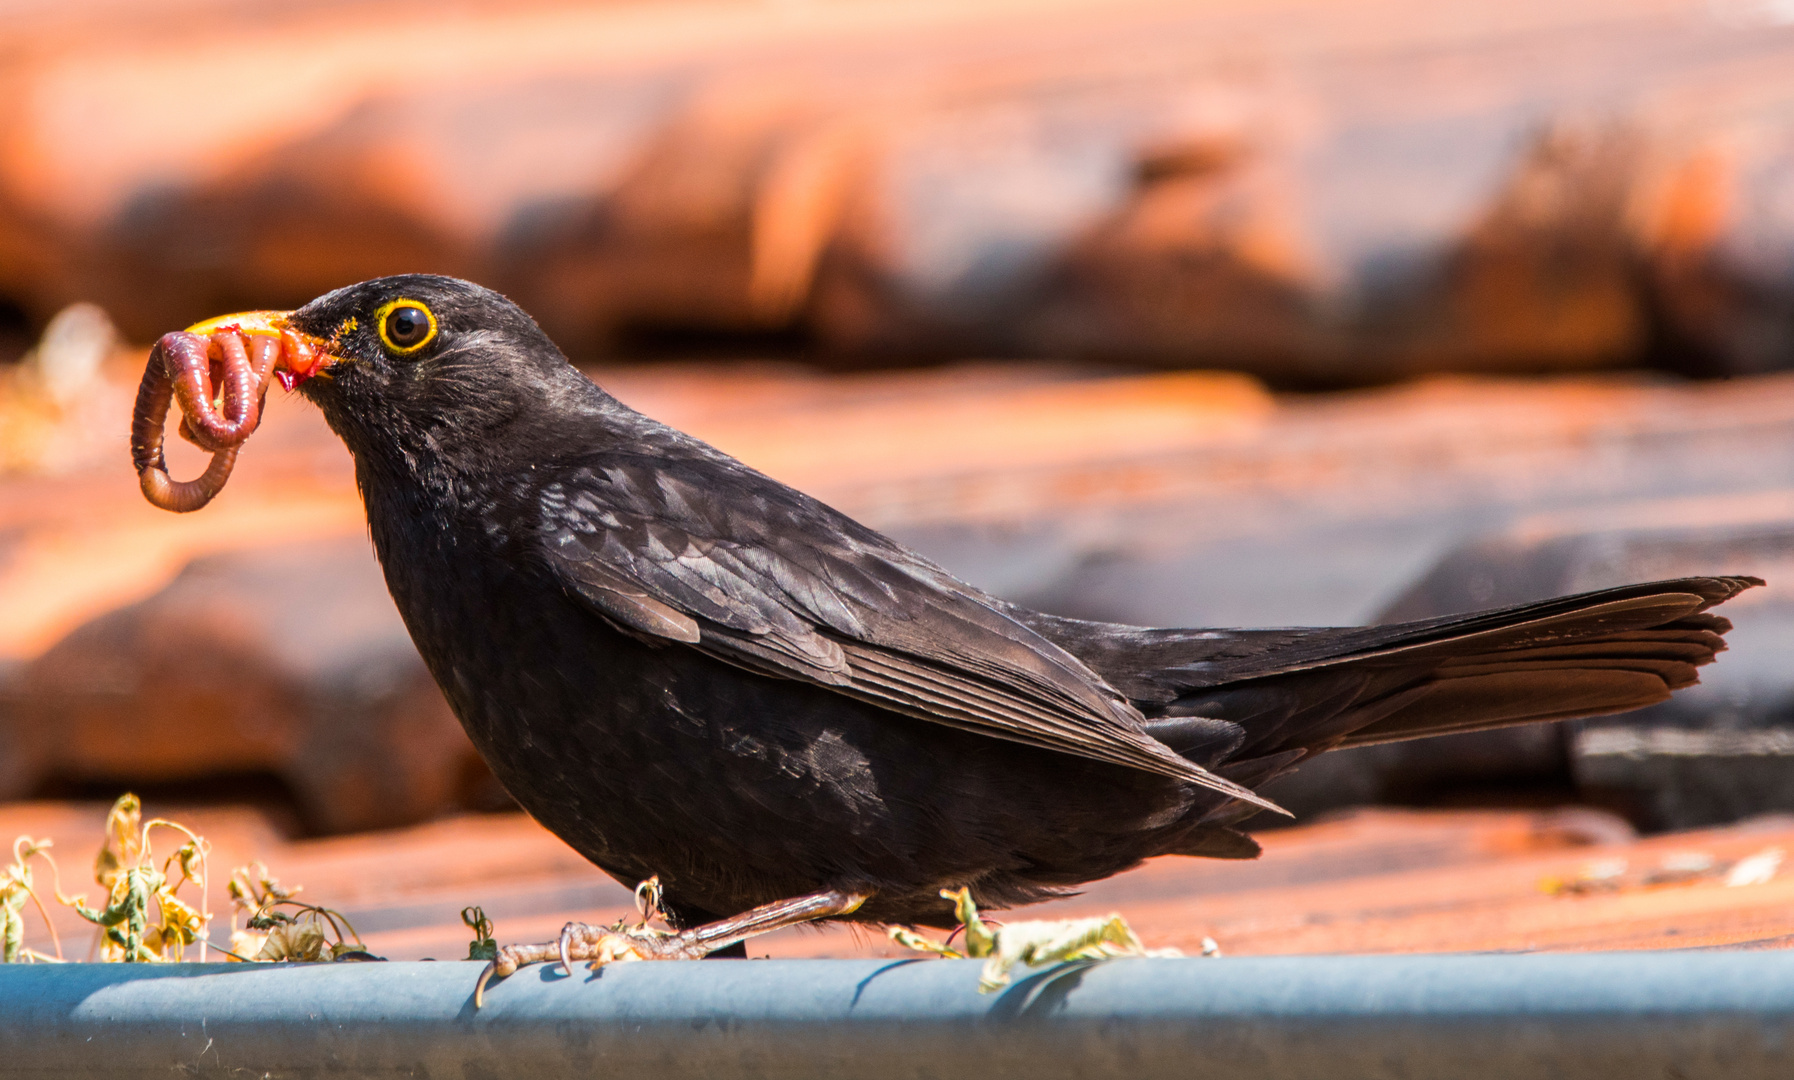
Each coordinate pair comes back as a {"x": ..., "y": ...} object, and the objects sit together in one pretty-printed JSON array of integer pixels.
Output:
[{"x": 422, "y": 376}]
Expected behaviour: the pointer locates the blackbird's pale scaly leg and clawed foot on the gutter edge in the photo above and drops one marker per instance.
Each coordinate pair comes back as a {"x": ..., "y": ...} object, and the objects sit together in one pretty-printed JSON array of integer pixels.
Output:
[{"x": 609, "y": 945}]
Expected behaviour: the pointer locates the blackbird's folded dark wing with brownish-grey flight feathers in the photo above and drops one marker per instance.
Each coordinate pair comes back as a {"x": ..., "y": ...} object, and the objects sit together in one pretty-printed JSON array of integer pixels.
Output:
[{"x": 720, "y": 559}]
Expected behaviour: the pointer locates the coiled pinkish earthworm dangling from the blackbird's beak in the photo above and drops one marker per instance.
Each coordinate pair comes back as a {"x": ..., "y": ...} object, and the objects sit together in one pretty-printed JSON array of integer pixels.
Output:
[{"x": 220, "y": 381}]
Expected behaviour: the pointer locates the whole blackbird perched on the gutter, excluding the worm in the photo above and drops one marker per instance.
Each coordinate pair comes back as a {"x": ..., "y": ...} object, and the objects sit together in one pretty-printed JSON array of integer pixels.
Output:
[{"x": 692, "y": 672}]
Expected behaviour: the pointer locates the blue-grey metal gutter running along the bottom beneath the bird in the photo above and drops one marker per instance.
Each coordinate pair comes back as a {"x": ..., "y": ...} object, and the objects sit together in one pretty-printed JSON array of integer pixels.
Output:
[{"x": 1592, "y": 1016}]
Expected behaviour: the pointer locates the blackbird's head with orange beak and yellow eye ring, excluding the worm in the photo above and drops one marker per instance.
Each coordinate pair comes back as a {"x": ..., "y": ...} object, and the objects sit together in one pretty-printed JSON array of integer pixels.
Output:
[{"x": 415, "y": 361}]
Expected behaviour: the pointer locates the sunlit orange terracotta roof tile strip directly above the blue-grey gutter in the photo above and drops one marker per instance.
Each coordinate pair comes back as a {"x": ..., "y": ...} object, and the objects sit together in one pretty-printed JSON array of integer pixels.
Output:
[{"x": 1370, "y": 882}]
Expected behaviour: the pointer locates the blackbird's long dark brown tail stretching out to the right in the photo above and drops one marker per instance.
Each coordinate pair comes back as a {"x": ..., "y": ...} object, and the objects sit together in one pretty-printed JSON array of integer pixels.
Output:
[{"x": 1253, "y": 702}]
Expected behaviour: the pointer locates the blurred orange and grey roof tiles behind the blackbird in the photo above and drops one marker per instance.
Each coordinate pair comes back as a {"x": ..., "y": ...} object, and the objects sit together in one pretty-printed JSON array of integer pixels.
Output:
[{"x": 1224, "y": 313}]
